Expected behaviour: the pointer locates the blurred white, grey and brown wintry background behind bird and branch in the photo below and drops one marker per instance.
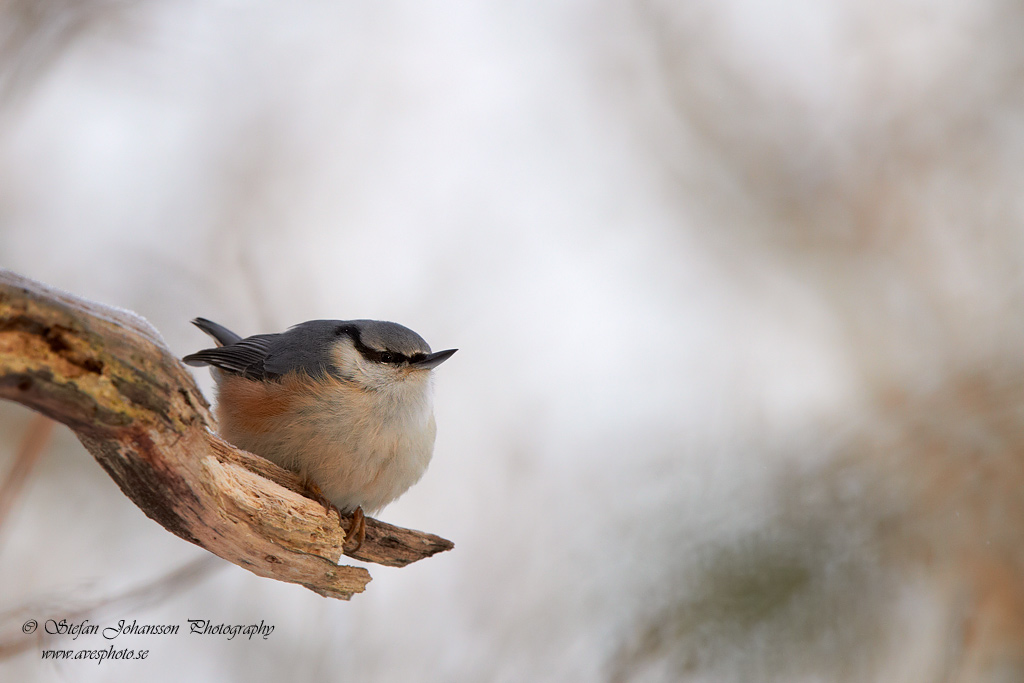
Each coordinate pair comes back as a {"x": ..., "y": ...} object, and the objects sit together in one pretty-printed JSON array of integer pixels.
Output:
[{"x": 738, "y": 288}]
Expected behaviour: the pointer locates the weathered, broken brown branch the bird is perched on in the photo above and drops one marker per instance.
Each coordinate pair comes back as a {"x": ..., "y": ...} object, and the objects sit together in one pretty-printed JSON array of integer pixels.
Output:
[{"x": 108, "y": 375}]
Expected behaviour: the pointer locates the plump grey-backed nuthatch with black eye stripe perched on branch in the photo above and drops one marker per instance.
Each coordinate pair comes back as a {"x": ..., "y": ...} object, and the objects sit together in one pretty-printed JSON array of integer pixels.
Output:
[{"x": 347, "y": 405}]
